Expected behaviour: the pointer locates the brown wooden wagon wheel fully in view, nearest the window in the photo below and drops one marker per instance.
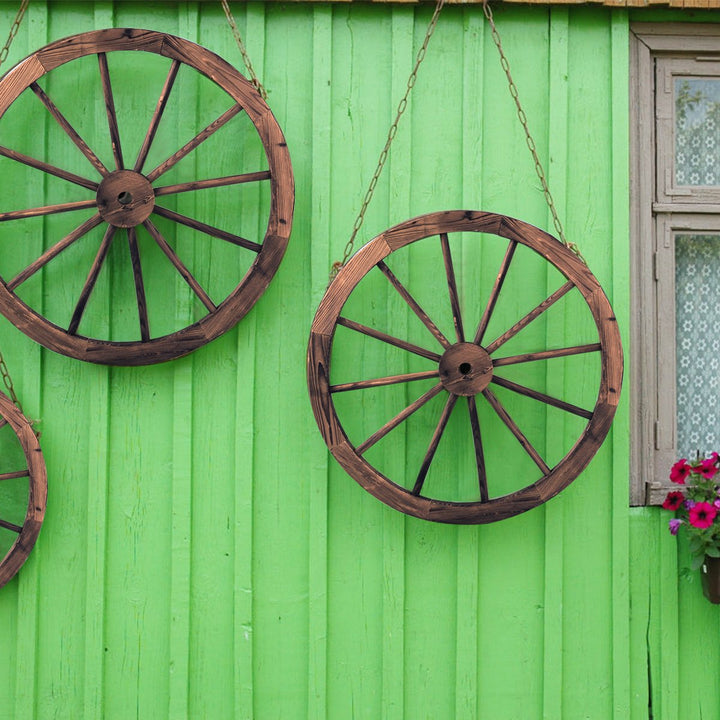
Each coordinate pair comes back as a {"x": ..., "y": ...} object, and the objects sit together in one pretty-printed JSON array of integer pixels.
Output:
[{"x": 466, "y": 367}]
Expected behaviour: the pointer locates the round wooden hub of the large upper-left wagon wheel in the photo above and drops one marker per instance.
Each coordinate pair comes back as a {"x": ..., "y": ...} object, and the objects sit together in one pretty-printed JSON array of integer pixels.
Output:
[{"x": 125, "y": 198}]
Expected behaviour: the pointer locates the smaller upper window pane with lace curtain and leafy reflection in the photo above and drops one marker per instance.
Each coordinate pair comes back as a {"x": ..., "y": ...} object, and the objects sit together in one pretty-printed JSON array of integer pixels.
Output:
[{"x": 697, "y": 131}]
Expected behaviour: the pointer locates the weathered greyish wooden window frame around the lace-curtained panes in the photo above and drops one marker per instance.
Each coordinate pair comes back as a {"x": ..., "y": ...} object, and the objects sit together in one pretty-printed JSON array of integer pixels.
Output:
[{"x": 659, "y": 208}]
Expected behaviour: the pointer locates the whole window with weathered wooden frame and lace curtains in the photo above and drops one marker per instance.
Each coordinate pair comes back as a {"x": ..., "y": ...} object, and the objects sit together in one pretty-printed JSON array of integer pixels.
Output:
[{"x": 675, "y": 227}]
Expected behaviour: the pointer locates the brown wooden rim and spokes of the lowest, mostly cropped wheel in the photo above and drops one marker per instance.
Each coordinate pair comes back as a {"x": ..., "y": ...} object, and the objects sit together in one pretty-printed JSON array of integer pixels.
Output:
[{"x": 36, "y": 474}]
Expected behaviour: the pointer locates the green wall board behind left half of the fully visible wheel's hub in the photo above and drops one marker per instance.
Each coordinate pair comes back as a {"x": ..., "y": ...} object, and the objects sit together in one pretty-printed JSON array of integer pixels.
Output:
[{"x": 431, "y": 582}]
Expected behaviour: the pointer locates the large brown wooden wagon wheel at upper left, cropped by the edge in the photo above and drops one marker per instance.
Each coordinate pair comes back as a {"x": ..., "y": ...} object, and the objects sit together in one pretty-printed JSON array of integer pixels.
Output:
[{"x": 122, "y": 199}]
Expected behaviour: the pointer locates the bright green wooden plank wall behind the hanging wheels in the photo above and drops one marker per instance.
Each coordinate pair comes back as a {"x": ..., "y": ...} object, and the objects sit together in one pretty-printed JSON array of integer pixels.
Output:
[{"x": 202, "y": 556}]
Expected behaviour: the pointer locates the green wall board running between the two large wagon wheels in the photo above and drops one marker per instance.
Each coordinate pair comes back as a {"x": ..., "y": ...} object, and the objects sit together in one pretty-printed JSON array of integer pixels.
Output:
[{"x": 282, "y": 417}]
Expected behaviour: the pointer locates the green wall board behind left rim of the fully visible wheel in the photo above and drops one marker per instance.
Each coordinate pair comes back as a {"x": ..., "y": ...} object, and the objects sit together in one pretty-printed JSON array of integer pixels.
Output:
[{"x": 362, "y": 46}]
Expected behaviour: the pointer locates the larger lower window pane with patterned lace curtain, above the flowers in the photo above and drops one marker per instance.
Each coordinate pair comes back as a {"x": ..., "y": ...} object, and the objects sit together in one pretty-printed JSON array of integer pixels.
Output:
[{"x": 697, "y": 343}]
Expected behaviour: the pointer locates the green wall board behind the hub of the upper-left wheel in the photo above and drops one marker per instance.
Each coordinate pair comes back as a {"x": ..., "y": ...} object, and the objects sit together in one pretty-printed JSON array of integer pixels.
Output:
[{"x": 144, "y": 556}]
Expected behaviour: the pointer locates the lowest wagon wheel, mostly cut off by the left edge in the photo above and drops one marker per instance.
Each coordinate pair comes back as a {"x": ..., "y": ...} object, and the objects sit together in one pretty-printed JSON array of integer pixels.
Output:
[{"x": 23, "y": 482}]
